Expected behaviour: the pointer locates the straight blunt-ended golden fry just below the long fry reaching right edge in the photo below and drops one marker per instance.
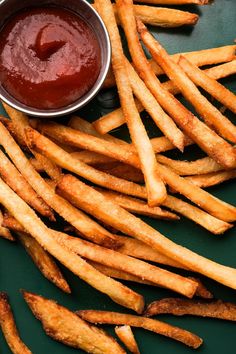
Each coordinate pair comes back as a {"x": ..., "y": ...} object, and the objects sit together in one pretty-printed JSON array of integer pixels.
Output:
[{"x": 128, "y": 264}]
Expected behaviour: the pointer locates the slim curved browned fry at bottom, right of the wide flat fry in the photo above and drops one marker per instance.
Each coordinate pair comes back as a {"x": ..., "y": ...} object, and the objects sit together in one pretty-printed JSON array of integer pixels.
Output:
[{"x": 116, "y": 318}]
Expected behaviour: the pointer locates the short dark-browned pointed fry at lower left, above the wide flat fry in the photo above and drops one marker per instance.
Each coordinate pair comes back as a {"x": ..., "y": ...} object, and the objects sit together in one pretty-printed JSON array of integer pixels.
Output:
[{"x": 43, "y": 261}]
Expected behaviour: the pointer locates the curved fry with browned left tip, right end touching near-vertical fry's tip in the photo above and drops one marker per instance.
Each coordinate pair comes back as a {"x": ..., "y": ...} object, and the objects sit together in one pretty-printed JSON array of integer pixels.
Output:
[{"x": 46, "y": 147}]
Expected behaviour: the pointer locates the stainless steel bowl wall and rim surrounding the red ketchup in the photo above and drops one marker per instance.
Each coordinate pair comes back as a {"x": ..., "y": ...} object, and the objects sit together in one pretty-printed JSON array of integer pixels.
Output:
[{"x": 86, "y": 11}]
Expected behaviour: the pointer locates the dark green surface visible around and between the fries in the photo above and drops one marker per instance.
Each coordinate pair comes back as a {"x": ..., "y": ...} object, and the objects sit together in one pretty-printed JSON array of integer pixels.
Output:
[{"x": 216, "y": 27}]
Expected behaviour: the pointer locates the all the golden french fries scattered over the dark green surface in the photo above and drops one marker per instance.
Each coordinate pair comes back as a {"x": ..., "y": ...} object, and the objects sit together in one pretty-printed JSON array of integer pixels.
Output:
[{"x": 40, "y": 178}]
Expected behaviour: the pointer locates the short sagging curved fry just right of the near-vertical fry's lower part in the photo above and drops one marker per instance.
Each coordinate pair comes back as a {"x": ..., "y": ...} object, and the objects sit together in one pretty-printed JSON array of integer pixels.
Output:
[{"x": 185, "y": 168}]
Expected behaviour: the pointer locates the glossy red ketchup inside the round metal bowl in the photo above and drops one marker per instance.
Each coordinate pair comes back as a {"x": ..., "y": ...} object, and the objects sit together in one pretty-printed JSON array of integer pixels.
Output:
[{"x": 49, "y": 57}]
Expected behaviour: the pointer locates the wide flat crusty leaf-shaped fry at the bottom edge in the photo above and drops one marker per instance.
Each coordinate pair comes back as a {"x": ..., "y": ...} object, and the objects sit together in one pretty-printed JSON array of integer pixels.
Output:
[{"x": 64, "y": 326}]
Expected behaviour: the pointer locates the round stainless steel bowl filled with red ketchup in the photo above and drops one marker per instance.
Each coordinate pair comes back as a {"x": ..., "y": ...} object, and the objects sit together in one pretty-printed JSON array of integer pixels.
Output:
[{"x": 54, "y": 57}]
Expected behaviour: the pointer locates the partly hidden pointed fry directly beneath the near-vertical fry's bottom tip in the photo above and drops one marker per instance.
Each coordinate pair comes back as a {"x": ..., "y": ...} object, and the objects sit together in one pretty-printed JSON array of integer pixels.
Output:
[{"x": 137, "y": 206}]
